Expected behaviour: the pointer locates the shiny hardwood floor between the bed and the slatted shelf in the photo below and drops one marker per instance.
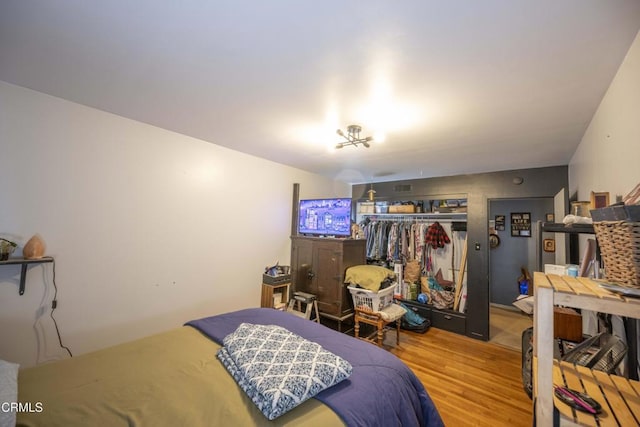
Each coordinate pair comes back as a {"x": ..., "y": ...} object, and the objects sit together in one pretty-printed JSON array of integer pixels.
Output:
[{"x": 472, "y": 383}]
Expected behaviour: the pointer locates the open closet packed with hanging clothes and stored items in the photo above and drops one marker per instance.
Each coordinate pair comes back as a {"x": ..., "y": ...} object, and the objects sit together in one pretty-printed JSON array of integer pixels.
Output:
[{"x": 404, "y": 236}]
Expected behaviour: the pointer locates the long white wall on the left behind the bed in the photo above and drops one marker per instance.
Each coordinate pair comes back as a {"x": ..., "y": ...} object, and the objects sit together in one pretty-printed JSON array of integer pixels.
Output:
[{"x": 148, "y": 228}]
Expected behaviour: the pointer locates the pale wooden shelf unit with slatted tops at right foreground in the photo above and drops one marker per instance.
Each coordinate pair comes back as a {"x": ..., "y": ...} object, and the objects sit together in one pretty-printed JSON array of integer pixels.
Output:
[{"x": 619, "y": 397}]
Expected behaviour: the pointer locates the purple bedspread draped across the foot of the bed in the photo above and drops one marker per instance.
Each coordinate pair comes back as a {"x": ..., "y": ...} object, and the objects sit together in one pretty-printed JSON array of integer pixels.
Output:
[{"x": 381, "y": 391}]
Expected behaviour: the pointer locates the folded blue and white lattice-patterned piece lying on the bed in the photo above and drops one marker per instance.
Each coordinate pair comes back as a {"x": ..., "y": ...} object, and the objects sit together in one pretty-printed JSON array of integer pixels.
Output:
[{"x": 278, "y": 369}]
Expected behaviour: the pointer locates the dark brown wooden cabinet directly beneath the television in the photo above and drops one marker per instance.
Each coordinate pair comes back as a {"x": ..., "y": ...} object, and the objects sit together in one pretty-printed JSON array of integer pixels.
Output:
[{"x": 318, "y": 266}]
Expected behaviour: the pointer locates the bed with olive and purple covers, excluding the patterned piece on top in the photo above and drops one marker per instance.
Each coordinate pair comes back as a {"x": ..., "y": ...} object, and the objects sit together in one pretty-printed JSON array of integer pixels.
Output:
[{"x": 174, "y": 378}]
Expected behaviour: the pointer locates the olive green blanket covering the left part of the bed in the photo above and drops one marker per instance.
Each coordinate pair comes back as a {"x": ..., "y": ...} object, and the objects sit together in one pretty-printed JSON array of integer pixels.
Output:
[{"x": 169, "y": 379}]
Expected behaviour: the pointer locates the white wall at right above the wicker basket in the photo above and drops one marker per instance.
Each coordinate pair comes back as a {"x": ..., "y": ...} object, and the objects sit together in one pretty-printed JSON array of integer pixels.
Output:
[{"x": 608, "y": 157}]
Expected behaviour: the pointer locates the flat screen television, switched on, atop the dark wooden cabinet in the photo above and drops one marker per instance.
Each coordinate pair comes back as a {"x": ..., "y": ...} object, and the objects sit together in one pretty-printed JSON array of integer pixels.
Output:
[{"x": 325, "y": 217}]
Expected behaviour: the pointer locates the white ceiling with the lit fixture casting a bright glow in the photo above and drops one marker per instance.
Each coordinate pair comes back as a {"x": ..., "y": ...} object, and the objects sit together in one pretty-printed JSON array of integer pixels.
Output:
[{"x": 456, "y": 86}]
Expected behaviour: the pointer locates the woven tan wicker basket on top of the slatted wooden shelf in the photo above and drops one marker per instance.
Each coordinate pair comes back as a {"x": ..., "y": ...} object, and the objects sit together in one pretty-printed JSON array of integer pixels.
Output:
[{"x": 620, "y": 248}]
